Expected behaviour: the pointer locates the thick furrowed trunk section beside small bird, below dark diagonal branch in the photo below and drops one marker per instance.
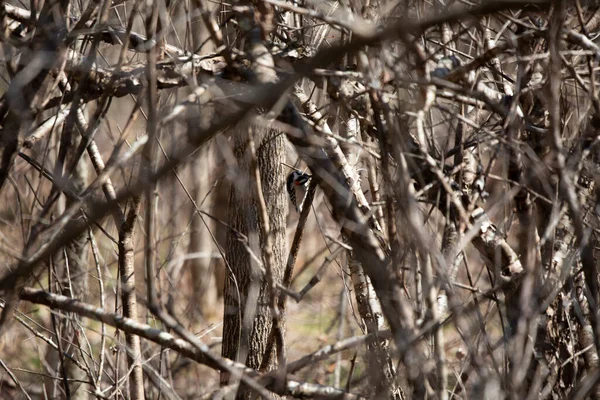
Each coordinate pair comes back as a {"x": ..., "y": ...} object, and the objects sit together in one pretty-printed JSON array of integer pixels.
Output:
[{"x": 248, "y": 320}]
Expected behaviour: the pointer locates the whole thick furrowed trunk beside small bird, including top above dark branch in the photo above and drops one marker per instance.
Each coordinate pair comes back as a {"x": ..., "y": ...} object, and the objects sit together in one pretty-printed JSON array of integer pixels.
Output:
[{"x": 248, "y": 319}]
